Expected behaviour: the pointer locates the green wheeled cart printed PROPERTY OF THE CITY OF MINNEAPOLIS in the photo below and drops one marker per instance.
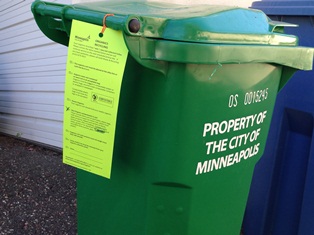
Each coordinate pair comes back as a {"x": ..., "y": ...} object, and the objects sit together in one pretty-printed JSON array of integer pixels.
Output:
[{"x": 195, "y": 107}]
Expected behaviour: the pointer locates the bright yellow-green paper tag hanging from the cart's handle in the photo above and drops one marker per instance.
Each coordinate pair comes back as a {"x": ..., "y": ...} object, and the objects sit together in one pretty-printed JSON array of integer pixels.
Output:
[{"x": 95, "y": 68}]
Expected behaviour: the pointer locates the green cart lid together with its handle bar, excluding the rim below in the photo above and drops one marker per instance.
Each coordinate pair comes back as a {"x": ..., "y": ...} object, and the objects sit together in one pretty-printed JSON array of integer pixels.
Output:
[{"x": 196, "y": 23}]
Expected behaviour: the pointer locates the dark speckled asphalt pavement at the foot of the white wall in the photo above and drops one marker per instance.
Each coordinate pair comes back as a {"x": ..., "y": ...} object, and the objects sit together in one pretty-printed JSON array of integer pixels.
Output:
[{"x": 37, "y": 191}]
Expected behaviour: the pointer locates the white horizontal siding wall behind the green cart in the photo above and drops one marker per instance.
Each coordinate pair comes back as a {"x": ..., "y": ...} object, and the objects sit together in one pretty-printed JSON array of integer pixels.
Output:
[{"x": 32, "y": 71}]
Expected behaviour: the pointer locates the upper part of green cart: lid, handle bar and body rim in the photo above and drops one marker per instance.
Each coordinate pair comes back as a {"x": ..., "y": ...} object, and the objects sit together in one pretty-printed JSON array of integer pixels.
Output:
[{"x": 159, "y": 33}]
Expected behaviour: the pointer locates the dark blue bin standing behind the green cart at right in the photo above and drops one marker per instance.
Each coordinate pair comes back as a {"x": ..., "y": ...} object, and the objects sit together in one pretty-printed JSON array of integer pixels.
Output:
[{"x": 281, "y": 200}]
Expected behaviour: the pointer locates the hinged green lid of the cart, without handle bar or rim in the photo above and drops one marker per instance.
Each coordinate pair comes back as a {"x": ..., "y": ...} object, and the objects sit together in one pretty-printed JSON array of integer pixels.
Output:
[{"x": 197, "y": 23}]
